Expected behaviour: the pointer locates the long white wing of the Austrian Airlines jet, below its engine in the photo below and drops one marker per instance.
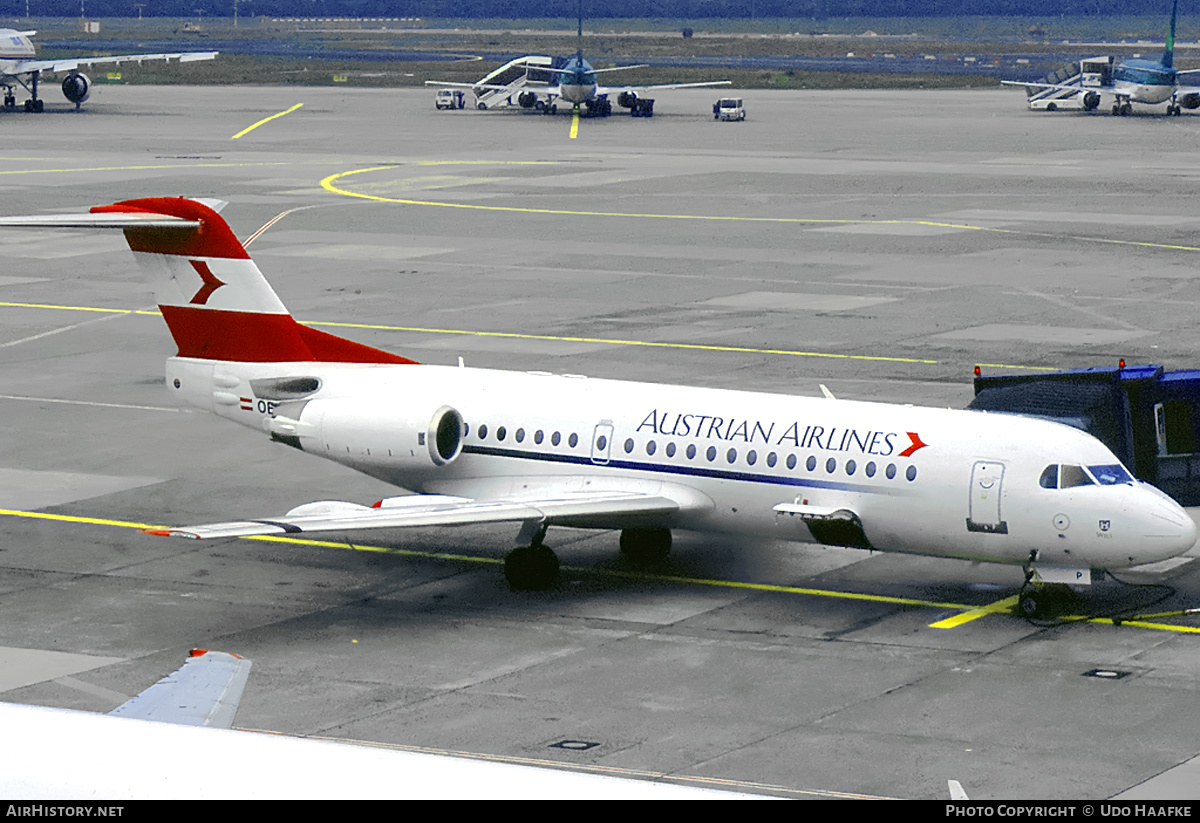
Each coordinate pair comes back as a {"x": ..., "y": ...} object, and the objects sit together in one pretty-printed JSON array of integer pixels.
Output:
[{"x": 418, "y": 510}]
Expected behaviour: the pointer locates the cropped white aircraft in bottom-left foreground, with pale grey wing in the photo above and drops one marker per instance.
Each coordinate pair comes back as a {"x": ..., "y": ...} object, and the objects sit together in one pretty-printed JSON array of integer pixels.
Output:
[{"x": 151, "y": 748}]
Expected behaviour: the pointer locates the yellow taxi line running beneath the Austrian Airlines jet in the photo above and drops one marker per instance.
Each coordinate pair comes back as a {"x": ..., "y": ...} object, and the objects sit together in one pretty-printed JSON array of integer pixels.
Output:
[{"x": 994, "y": 609}]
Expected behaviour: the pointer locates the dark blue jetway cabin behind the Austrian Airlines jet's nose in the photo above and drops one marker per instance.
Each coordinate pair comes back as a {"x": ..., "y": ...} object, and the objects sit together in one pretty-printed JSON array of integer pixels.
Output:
[{"x": 1150, "y": 418}]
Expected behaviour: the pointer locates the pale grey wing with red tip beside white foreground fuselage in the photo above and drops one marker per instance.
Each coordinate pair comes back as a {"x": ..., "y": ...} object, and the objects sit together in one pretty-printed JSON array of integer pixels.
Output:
[{"x": 205, "y": 692}]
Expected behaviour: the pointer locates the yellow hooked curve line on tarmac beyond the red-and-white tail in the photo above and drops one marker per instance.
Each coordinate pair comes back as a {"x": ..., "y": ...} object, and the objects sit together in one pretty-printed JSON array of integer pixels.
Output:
[{"x": 328, "y": 184}]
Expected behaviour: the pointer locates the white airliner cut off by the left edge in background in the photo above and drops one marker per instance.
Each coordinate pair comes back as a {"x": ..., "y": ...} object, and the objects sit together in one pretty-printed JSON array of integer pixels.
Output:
[{"x": 17, "y": 63}]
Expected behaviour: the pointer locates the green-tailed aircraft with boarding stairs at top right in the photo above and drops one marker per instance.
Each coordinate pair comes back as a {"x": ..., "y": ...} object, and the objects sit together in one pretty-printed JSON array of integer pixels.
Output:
[{"x": 1138, "y": 81}]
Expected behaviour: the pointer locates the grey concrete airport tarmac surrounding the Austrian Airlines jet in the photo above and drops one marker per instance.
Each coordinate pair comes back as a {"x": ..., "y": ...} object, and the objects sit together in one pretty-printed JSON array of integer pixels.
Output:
[{"x": 879, "y": 243}]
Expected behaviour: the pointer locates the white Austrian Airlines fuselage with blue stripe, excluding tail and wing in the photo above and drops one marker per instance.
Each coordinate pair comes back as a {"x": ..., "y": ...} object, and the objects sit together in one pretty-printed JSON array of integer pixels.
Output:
[{"x": 956, "y": 484}]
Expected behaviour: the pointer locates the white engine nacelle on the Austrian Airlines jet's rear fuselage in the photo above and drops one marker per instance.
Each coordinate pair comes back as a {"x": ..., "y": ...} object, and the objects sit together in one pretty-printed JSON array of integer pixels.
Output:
[{"x": 373, "y": 440}]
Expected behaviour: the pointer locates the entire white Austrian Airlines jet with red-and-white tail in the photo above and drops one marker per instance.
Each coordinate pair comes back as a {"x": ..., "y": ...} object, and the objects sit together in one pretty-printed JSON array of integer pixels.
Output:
[{"x": 537, "y": 450}]
